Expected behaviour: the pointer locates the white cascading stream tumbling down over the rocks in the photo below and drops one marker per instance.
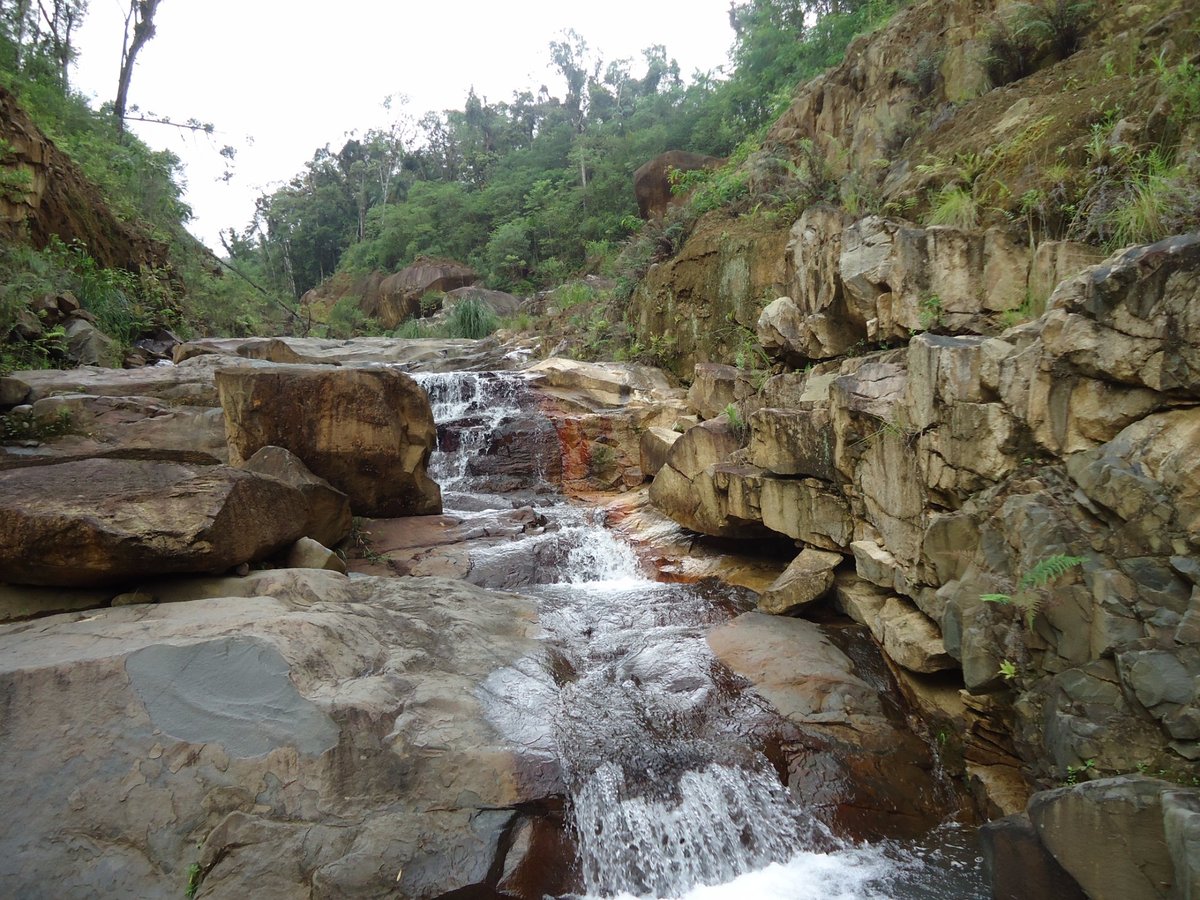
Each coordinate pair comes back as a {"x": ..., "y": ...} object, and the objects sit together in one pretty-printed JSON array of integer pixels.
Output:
[{"x": 671, "y": 788}]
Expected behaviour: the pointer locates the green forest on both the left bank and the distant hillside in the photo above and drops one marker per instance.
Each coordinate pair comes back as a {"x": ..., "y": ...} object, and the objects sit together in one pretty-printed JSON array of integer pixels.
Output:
[{"x": 530, "y": 191}]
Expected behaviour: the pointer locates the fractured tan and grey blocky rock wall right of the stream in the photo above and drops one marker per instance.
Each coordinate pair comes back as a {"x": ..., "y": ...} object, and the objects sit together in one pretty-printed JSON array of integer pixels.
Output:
[{"x": 956, "y": 465}]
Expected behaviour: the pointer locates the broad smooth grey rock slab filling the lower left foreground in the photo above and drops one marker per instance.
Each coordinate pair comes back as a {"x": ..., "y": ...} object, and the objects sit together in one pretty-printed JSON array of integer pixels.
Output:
[{"x": 344, "y": 727}]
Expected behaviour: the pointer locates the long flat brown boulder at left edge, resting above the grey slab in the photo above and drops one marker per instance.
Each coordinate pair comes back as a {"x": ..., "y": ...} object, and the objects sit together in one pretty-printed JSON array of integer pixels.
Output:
[{"x": 109, "y": 521}]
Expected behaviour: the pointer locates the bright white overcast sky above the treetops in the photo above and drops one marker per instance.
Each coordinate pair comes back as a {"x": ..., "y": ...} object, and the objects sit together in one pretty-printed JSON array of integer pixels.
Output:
[{"x": 279, "y": 80}]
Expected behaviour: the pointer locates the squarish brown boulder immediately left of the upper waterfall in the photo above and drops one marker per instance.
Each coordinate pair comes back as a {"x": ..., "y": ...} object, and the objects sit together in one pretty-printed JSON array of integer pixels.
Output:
[{"x": 368, "y": 433}]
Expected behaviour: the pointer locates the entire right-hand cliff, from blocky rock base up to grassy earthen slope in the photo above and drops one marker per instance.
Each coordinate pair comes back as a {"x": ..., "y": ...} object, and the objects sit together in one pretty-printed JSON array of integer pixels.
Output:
[{"x": 962, "y": 412}]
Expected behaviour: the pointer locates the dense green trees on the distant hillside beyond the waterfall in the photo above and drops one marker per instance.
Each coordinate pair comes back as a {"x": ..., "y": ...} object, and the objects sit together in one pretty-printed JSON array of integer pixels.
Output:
[{"x": 520, "y": 189}]
